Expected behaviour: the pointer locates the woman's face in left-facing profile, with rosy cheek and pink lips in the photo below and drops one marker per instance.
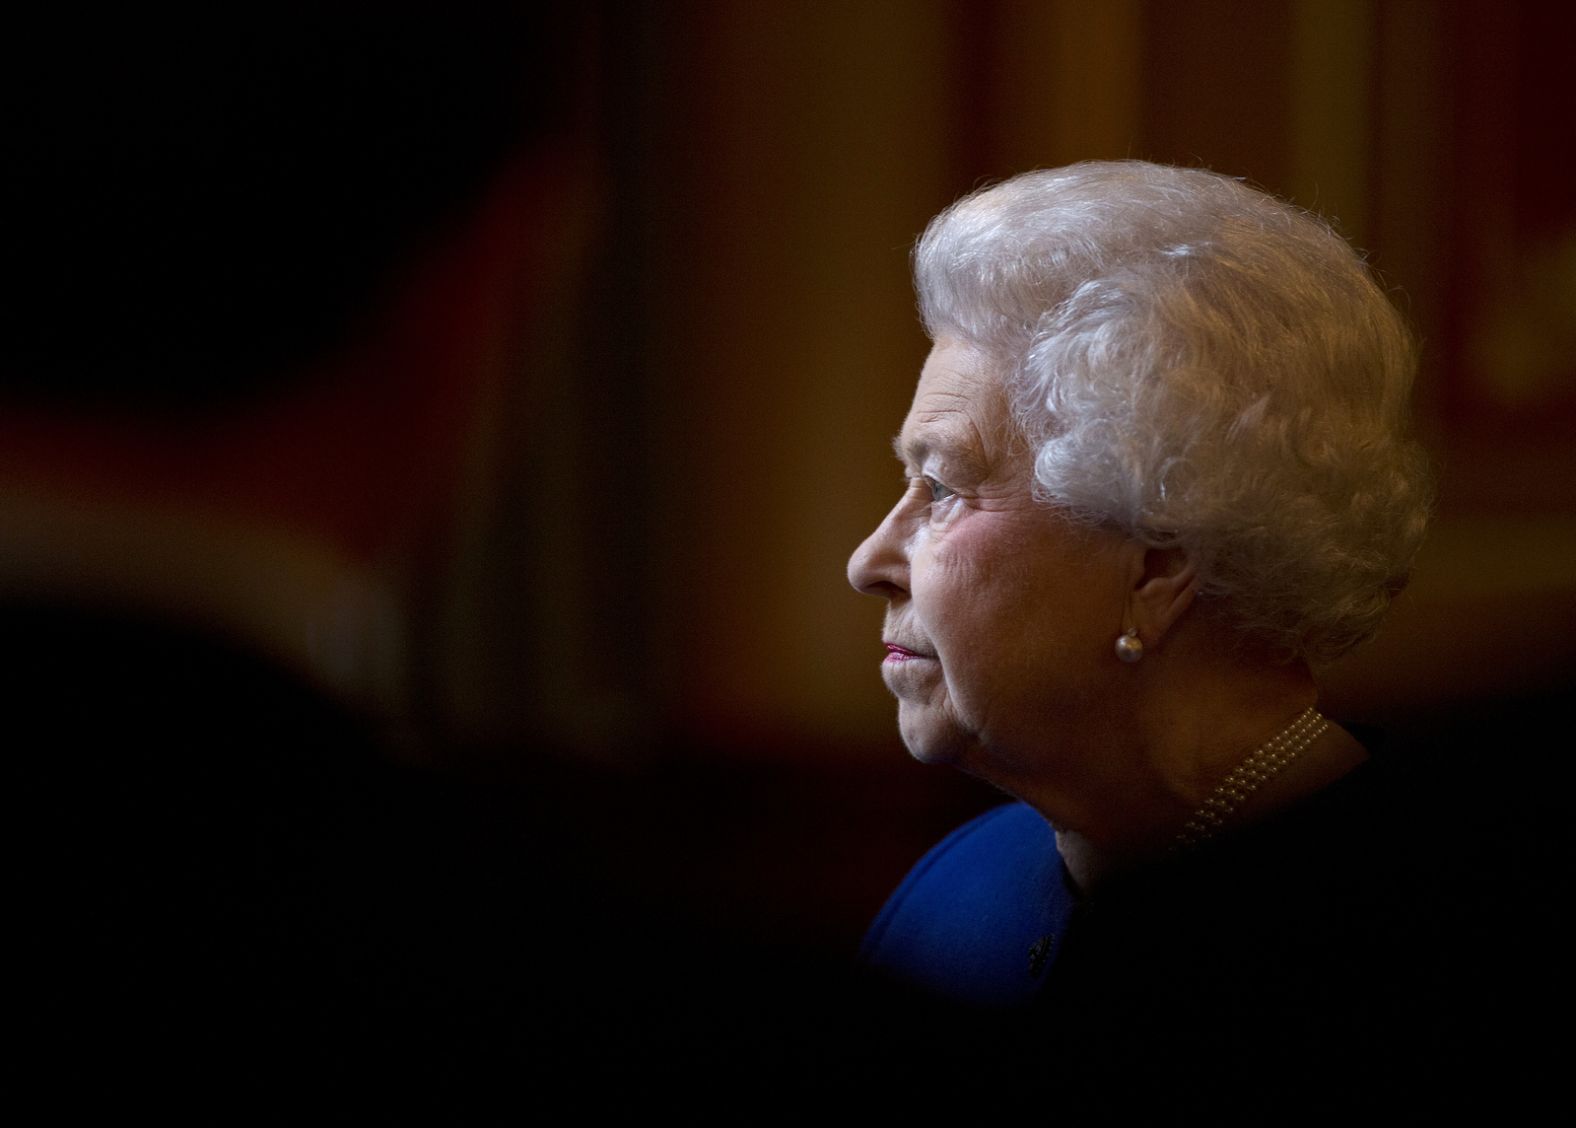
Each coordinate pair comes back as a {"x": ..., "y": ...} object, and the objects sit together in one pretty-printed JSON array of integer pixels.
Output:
[{"x": 1002, "y": 614}]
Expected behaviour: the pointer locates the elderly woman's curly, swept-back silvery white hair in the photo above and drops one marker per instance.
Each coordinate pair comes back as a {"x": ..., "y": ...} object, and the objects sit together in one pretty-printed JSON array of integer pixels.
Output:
[{"x": 1200, "y": 366}]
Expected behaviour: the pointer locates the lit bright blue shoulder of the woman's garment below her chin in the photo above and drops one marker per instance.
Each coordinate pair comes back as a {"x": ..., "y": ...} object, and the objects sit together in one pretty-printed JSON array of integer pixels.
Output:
[{"x": 981, "y": 918}]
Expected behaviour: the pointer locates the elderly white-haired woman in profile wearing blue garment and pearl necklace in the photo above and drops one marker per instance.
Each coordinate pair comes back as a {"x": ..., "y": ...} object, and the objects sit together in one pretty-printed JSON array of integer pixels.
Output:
[{"x": 1159, "y": 473}]
